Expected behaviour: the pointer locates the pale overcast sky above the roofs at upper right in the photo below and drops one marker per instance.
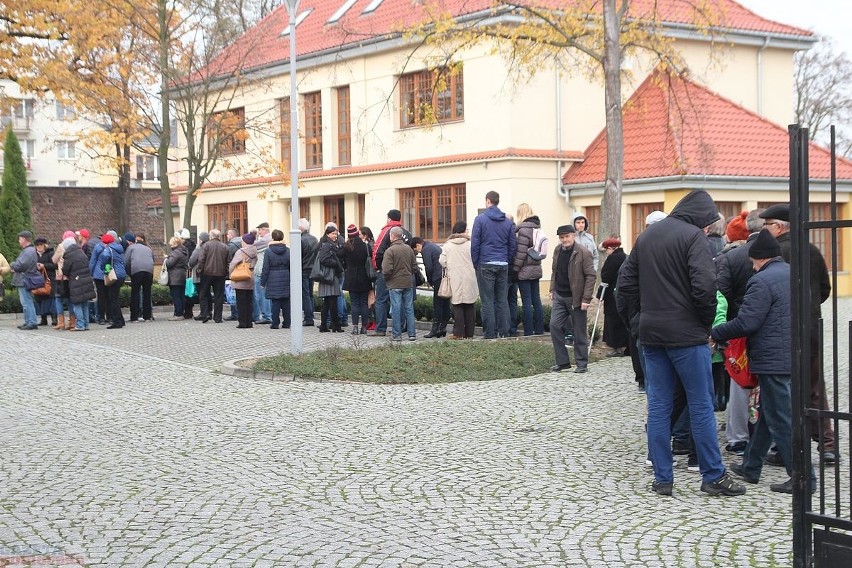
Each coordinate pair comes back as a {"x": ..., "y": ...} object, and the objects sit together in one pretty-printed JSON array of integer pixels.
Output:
[{"x": 825, "y": 17}]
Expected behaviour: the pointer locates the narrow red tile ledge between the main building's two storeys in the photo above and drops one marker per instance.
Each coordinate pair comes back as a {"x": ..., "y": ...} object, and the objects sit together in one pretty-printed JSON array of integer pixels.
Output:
[{"x": 487, "y": 156}]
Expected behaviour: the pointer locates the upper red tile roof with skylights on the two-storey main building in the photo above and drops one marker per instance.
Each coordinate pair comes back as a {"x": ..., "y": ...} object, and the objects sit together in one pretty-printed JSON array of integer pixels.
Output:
[{"x": 265, "y": 45}]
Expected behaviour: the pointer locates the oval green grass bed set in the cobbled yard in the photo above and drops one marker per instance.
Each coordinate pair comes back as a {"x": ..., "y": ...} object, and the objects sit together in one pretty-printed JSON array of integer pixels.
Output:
[{"x": 420, "y": 363}]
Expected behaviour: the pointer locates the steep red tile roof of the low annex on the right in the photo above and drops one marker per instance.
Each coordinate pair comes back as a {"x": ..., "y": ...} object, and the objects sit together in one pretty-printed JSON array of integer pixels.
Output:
[{"x": 679, "y": 128}]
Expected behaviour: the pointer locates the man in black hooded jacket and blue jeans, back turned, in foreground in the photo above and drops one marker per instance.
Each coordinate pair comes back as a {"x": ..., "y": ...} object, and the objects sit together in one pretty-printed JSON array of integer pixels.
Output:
[{"x": 669, "y": 279}]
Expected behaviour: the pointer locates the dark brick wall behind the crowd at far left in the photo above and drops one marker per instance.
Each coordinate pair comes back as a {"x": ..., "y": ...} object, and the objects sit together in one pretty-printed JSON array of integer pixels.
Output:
[{"x": 57, "y": 209}]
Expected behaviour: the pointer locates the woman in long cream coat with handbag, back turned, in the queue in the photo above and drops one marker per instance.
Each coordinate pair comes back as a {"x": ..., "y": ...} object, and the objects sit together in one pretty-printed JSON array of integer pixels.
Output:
[{"x": 456, "y": 259}]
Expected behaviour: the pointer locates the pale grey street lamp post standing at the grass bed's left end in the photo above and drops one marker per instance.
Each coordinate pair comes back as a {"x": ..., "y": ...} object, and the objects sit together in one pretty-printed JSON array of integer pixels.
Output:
[{"x": 295, "y": 234}]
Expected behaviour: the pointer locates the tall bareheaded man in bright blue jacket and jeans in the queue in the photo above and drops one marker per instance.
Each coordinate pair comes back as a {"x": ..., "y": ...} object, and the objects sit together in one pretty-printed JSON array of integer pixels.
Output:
[{"x": 492, "y": 248}]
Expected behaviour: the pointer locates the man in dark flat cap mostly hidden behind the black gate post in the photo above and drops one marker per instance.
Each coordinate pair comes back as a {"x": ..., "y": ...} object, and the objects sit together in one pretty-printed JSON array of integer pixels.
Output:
[{"x": 777, "y": 221}]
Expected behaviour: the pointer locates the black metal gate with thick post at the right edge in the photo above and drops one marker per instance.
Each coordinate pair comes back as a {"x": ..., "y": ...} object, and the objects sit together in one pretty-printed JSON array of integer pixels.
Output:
[{"x": 822, "y": 522}]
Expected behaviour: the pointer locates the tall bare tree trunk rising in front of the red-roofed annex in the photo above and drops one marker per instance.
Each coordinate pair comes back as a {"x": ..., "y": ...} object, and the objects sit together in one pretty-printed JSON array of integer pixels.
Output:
[{"x": 611, "y": 202}]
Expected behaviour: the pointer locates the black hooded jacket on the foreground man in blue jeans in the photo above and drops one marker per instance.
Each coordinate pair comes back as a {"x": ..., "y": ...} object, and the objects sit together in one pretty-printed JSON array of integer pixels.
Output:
[{"x": 671, "y": 274}]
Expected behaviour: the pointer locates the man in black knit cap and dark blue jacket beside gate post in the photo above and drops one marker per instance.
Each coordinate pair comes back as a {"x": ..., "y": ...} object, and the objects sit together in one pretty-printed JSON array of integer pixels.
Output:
[{"x": 764, "y": 319}]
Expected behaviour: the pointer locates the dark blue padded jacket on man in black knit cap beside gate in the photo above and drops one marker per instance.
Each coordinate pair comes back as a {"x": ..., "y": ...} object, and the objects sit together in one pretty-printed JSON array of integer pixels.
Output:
[{"x": 764, "y": 319}]
